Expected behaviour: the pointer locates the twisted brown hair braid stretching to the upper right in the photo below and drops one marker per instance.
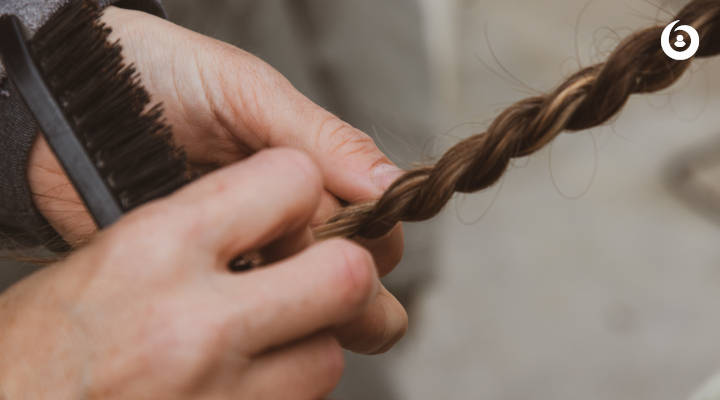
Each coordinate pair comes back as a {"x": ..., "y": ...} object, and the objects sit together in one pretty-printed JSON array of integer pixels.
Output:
[{"x": 586, "y": 99}]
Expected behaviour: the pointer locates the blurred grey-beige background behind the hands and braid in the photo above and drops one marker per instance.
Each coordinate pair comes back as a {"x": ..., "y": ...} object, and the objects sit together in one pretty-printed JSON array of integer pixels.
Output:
[{"x": 592, "y": 271}]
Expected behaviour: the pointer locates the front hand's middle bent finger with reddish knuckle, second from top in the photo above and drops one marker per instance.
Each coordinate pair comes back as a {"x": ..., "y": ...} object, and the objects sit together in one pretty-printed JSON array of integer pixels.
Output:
[{"x": 326, "y": 285}]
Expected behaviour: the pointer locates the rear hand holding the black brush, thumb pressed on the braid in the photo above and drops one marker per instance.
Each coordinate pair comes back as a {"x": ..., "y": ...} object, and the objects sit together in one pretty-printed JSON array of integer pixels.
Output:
[{"x": 225, "y": 104}]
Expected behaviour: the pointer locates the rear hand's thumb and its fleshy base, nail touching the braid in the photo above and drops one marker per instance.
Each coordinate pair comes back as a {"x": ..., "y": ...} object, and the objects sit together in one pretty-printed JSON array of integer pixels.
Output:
[{"x": 246, "y": 101}]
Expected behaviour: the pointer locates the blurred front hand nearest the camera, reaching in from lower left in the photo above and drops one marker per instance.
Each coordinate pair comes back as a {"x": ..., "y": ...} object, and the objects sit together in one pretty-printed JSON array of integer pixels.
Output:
[{"x": 149, "y": 310}]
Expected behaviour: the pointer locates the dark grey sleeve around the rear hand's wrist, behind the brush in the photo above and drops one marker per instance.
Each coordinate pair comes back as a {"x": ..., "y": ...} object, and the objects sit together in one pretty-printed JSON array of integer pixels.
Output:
[{"x": 20, "y": 222}]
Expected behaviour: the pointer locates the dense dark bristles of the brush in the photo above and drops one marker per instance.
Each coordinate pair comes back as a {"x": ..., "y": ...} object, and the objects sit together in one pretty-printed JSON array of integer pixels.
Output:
[{"x": 127, "y": 139}]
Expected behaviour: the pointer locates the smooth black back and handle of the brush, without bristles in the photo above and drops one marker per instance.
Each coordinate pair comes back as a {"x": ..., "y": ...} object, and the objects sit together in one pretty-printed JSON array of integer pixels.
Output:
[{"x": 21, "y": 69}]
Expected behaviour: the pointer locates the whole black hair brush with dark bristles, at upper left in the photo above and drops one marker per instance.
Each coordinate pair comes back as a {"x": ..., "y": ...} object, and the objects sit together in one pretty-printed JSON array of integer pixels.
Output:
[{"x": 92, "y": 110}]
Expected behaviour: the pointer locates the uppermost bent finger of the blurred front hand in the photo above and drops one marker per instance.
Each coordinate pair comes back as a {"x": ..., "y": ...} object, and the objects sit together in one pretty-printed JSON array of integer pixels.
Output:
[{"x": 249, "y": 204}]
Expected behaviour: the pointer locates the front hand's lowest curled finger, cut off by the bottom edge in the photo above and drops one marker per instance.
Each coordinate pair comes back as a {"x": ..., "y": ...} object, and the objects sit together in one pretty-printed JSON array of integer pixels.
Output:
[{"x": 309, "y": 369}]
